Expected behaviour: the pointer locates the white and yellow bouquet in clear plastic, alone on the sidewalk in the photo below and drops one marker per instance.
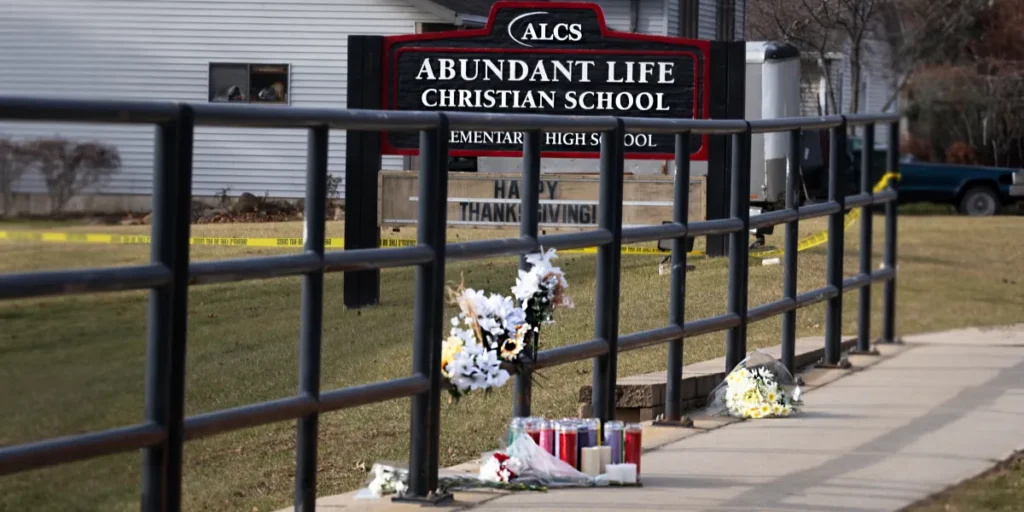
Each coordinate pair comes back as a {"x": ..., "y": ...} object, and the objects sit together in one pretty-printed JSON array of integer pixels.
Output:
[{"x": 759, "y": 388}]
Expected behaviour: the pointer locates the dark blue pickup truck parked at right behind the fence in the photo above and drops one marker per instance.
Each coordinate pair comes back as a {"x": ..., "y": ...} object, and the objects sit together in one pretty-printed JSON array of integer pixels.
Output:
[{"x": 972, "y": 190}]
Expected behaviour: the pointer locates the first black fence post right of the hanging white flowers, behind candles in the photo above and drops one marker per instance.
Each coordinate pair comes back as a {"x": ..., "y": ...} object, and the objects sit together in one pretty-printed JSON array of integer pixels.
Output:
[{"x": 607, "y": 303}]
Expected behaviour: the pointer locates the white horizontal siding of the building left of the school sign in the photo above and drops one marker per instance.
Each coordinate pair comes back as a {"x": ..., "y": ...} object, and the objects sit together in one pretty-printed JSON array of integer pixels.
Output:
[{"x": 161, "y": 51}]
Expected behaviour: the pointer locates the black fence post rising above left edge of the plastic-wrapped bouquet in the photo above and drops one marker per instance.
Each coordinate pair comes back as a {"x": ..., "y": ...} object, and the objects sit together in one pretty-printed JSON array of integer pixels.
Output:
[{"x": 740, "y": 201}]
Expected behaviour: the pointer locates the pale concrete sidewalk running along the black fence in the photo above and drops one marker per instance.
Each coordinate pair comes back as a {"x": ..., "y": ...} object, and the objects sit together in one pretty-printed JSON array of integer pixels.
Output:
[{"x": 942, "y": 409}]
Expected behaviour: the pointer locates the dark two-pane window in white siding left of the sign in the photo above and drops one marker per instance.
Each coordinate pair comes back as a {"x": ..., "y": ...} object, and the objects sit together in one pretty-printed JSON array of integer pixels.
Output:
[{"x": 249, "y": 83}]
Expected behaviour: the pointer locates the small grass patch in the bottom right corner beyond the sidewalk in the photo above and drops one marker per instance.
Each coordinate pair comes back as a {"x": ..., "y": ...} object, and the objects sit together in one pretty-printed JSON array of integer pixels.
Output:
[{"x": 1000, "y": 490}]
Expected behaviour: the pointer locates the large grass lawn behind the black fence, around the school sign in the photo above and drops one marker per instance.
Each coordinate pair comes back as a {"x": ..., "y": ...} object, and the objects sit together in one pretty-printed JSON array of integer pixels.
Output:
[{"x": 76, "y": 364}]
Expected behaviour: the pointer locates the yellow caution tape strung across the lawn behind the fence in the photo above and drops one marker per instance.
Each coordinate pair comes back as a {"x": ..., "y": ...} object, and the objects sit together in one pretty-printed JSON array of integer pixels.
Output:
[{"x": 52, "y": 237}]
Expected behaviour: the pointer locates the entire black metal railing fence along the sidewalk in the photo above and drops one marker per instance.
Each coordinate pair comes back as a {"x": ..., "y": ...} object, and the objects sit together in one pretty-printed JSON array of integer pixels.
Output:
[{"x": 170, "y": 273}]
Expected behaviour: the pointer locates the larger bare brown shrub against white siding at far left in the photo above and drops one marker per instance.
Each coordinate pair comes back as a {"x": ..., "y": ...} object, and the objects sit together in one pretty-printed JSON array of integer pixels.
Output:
[{"x": 69, "y": 168}]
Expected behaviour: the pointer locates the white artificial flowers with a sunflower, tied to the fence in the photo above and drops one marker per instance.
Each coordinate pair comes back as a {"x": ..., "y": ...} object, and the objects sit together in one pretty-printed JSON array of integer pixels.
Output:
[{"x": 493, "y": 329}]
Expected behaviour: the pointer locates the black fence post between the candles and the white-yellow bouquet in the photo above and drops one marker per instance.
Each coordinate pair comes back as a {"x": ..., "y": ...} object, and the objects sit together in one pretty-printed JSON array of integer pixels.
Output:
[{"x": 677, "y": 292}]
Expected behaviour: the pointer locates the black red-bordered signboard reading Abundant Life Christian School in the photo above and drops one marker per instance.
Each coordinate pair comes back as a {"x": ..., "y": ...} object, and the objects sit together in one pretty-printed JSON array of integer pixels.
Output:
[{"x": 546, "y": 58}]
